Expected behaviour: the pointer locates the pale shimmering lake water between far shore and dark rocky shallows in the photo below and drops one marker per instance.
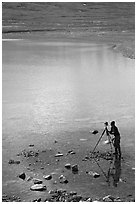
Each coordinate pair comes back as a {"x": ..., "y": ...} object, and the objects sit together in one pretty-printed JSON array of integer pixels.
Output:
[{"x": 53, "y": 87}]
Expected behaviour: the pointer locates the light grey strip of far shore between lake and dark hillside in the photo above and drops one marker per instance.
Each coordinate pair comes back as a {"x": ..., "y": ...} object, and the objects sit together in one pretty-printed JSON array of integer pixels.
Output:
[{"x": 122, "y": 42}]
